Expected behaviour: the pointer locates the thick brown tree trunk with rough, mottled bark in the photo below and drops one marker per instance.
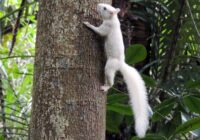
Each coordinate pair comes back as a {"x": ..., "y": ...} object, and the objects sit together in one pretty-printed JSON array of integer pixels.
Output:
[{"x": 67, "y": 101}]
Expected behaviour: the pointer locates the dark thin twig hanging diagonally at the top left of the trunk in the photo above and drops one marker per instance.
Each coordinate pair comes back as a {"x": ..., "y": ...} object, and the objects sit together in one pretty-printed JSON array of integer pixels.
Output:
[{"x": 16, "y": 26}]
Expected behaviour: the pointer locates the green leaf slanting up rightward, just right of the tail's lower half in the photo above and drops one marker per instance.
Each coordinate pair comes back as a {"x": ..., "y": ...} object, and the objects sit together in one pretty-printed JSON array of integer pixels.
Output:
[{"x": 163, "y": 109}]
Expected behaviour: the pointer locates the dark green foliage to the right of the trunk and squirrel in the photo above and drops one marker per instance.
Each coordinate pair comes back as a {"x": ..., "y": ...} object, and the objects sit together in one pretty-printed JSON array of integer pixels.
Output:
[{"x": 172, "y": 72}]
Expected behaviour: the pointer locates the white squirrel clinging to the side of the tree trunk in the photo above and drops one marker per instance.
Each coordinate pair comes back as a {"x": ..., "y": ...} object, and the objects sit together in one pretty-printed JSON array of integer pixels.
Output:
[{"x": 114, "y": 48}]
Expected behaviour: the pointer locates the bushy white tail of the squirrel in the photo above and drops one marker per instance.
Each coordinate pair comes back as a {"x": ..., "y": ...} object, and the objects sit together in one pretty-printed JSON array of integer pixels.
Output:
[{"x": 138, "y": 98}]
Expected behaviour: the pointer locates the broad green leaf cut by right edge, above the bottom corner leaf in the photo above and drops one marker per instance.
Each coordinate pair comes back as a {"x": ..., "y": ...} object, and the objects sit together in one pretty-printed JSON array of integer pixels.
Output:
[{"x": 193, "y": 103}]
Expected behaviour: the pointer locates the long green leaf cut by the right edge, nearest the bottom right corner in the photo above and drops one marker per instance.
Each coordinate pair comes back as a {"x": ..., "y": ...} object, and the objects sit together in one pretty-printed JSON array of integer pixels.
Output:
[{"x": 189, "y": 126}]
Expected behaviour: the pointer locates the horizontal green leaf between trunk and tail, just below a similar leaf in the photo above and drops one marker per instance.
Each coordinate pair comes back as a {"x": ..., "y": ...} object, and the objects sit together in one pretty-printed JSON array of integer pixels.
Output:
[{"x": 120, "y": 108}]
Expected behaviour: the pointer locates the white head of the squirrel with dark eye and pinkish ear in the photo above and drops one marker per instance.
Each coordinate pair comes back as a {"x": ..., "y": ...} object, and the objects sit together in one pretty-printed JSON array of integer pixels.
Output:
[{"x": 106, "y": 11}]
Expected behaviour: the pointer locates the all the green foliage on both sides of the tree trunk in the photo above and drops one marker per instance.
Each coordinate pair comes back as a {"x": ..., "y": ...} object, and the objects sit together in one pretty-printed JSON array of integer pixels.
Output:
[{"x": 172, "y": 73}]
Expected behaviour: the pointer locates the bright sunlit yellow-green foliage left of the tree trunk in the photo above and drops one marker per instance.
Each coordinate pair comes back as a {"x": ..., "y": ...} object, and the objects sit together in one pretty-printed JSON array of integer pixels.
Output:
[{"x": 16, "y": 69}]
